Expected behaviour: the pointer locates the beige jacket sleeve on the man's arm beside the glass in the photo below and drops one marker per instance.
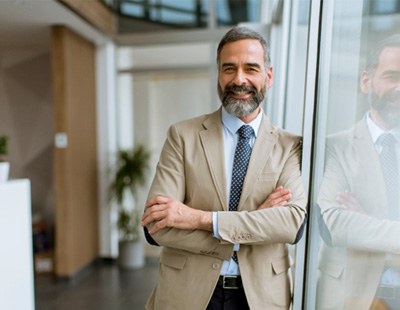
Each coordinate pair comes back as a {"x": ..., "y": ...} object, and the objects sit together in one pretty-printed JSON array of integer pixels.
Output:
[{"x": 283, "y": 224}]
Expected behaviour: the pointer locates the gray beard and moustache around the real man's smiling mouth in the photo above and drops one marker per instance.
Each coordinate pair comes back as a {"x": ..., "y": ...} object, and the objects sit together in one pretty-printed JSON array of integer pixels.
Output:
[{"x": 238, "y": 107}]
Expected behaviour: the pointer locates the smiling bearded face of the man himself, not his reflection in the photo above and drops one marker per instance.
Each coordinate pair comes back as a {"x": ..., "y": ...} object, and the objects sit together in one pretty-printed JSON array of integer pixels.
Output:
[{"x": 242, "y": 77}]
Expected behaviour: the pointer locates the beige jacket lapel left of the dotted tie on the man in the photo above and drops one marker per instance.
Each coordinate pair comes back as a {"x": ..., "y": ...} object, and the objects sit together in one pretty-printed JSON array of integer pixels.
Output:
[{"x": 213, "y": 146}]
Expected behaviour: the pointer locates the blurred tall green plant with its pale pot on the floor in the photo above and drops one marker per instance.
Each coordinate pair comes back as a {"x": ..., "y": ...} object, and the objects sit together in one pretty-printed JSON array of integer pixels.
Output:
[{"x": 130, "y": 173}]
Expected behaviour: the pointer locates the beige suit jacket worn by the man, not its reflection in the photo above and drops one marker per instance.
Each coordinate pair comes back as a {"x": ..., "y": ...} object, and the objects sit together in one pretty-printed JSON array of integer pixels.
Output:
[{"x": 191, "y": 169}]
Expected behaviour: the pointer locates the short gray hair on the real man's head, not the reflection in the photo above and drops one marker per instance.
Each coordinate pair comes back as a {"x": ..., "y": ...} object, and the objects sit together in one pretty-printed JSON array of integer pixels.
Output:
[{"x": 242, "y": 33}]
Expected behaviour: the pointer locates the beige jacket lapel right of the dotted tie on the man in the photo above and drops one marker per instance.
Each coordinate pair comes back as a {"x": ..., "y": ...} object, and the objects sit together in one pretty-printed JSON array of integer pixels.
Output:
[{"x": 262, "y": 151}]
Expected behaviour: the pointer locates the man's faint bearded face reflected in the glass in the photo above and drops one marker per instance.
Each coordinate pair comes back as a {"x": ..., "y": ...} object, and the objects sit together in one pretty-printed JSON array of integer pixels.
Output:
[{"x": 383, "y": 87}]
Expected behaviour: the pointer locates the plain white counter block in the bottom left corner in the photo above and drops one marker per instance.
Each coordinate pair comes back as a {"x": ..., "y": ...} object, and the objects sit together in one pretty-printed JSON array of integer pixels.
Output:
[{"x": 16, "y": 250}]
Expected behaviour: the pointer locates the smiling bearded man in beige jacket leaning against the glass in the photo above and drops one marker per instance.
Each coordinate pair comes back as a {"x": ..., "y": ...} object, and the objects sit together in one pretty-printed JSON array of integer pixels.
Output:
[{"x": 213, "y": 258}]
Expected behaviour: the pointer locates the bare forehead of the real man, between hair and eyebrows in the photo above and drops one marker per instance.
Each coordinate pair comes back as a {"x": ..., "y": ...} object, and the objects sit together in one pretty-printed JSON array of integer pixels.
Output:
[{"x": 242, "y": 51}]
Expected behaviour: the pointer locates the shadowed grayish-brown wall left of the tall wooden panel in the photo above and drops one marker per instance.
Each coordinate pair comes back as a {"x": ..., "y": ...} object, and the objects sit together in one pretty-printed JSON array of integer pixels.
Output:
[{"x": 26, "y": 115}]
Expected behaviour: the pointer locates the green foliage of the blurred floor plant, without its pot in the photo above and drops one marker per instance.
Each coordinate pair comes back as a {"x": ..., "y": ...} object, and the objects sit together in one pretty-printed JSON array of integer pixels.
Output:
[{"x": 130, "y": 173}]
